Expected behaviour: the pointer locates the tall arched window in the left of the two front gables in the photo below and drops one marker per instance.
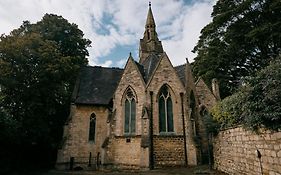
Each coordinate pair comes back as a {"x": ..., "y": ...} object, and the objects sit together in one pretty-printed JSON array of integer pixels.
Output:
[{"x": 130, "y": 112}]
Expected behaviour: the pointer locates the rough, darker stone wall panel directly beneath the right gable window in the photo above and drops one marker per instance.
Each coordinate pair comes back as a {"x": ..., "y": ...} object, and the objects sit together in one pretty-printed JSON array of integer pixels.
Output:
[{"x": 168, "y": 151}]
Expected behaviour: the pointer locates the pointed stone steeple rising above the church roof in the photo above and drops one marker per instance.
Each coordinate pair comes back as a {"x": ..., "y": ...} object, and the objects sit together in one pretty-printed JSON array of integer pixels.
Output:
[{"x": 150, "y": 43}]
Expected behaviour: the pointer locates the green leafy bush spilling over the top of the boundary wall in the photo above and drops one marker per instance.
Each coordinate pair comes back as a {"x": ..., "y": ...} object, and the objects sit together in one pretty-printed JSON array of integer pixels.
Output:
[{"x": 257, "y": 104}]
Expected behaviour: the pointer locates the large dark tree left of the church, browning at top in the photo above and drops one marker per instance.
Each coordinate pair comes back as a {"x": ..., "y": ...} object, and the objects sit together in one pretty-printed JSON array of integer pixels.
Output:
[{"x": 38, "y": 67}]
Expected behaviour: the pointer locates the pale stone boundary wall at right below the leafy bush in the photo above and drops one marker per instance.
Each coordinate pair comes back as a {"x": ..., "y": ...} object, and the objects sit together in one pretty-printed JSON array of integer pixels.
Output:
[{"x": 235, "y": 152}]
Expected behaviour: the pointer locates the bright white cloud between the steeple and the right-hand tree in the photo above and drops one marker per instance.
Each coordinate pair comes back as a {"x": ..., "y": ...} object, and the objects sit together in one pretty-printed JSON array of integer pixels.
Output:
[{"x": 189, "y": 25}]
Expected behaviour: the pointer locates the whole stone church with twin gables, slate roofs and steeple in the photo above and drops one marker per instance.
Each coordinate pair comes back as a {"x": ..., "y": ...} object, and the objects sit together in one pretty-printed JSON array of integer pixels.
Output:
[{"x": 149, "y": 114}]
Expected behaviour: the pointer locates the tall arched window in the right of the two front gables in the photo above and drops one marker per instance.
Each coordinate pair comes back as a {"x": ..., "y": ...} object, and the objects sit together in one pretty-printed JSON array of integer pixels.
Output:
[{"x": 166, "y": 123}]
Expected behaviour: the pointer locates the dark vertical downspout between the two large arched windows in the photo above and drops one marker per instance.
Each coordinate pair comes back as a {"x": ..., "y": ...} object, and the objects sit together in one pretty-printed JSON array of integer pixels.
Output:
[{"x": 151, "y": 157}]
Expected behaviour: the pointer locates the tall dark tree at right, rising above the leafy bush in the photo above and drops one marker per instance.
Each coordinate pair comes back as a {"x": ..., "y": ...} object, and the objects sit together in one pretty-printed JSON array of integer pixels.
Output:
[{"x": 243, "y": 37}]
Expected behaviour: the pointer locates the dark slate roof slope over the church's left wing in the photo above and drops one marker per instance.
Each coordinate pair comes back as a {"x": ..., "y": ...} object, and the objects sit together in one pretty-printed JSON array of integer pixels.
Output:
[{"x": 96, "y": 85}]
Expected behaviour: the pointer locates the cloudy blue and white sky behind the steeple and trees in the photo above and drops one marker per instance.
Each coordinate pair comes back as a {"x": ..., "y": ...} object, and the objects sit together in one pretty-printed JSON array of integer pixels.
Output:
[{"x": 116, "y": 26}]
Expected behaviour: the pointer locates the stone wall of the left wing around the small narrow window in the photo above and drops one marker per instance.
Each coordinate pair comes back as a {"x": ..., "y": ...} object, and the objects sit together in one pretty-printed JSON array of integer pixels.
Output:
[{"x": 76, "y": 135}]
